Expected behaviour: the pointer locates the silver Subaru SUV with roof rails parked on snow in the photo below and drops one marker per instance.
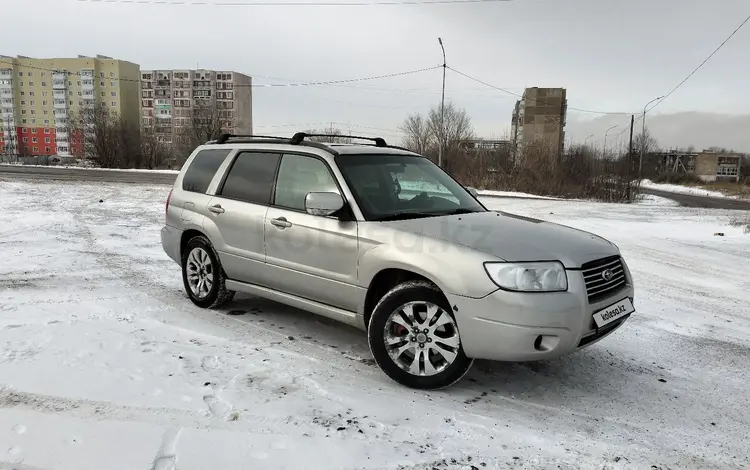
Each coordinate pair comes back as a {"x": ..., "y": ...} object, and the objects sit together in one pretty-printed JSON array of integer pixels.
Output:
[{"x": 381, "y": 238}]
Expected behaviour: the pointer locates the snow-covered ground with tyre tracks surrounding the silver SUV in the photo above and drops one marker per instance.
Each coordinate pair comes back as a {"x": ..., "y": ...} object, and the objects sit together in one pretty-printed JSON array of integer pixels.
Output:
[{"x": 105, "y": 364}]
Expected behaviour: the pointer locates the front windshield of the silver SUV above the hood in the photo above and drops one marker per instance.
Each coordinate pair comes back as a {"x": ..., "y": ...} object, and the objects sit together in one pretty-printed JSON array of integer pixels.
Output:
[{"x": 389, "y": 187}]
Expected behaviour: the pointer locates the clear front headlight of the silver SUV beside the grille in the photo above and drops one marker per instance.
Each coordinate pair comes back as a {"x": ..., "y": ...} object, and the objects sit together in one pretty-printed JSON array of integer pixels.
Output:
[{"x": 548, "y": 276}]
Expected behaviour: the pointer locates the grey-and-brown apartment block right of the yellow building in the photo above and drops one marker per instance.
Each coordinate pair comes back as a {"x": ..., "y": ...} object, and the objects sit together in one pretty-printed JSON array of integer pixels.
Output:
[{"x": 173, "y": 100}]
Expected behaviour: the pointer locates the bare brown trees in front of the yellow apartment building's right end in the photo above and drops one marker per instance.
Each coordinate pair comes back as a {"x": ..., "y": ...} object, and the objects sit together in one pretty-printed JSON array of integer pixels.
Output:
[{"x": 108, "y": 140}]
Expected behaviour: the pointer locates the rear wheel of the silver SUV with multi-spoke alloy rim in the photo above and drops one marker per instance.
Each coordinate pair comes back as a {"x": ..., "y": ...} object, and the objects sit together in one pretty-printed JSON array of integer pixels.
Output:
[{"x": 200, "y": 259}]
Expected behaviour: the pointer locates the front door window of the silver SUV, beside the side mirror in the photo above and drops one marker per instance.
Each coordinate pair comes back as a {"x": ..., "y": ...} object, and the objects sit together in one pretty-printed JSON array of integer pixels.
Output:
[{"x": 299, "y": 175}]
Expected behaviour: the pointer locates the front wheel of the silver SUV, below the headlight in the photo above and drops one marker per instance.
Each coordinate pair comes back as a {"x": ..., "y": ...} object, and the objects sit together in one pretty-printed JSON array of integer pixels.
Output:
[{"x": 389, "y": 313}]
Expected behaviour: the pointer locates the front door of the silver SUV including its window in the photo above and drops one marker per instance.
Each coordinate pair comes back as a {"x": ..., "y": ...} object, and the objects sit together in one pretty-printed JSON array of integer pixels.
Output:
[{"x": 310, "y": 256}]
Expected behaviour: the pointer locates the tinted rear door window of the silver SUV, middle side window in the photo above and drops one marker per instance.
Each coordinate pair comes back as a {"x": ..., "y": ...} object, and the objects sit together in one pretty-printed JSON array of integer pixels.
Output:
[{"x": 250, "y": 178}]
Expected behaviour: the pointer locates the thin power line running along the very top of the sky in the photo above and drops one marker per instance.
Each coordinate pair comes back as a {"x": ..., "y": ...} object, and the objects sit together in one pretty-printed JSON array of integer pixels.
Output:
[{"x": 344, "y": 3}]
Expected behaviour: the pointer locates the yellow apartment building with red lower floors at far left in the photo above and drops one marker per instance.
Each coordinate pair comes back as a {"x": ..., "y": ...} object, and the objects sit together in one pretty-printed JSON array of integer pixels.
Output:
[{"x": 38, "y": 98}]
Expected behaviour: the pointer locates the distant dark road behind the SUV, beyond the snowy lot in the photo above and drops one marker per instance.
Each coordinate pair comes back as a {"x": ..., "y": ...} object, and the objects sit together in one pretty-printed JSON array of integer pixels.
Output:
[{"x": 145, "y": 177}]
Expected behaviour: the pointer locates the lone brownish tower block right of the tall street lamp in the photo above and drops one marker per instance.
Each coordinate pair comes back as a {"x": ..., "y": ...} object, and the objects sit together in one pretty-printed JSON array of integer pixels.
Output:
[{"x": 539, "y": 118}]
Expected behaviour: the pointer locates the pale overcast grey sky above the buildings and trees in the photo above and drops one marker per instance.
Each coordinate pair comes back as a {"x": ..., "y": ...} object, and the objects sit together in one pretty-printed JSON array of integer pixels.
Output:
[{"x": 611, "y": 55}]
